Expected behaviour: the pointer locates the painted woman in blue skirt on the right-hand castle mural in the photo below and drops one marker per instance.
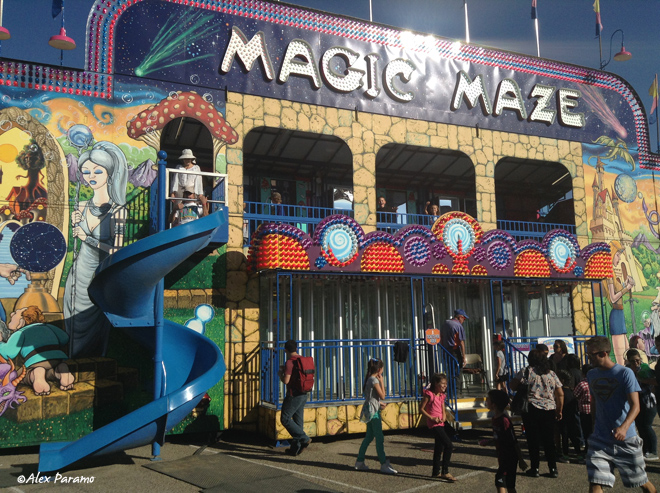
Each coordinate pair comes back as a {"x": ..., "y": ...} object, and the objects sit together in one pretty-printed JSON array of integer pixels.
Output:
[{"x": 615, "y": 291}]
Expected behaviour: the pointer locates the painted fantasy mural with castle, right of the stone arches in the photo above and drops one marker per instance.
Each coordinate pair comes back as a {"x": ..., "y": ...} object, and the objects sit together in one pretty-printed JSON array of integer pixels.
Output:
[{"x": 624, "y": 213}]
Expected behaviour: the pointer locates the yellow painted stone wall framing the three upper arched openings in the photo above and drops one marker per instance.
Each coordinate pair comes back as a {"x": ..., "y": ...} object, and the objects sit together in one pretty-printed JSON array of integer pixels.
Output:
[{"x": 365, "y": 134}]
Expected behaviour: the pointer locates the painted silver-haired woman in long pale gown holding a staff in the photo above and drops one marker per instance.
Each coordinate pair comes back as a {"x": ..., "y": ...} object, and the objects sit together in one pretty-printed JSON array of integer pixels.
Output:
[{"x": 99, "y": 225}]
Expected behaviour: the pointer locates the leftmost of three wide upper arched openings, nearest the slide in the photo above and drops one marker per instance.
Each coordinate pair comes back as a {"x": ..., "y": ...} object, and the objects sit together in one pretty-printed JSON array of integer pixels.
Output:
[{"x": 312, "y": 173}]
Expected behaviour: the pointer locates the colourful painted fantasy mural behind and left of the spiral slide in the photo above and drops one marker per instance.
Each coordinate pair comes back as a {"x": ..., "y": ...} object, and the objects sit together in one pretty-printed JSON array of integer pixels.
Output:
[{"x": 75, "y": 180}]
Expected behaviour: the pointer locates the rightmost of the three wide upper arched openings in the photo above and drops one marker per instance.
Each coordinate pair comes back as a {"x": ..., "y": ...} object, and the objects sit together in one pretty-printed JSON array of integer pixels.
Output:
[{"x": 533, "y": 197}]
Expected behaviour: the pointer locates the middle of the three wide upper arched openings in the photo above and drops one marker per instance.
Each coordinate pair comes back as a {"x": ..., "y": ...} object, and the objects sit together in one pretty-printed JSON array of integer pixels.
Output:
[{"x": 412, "y": 179}]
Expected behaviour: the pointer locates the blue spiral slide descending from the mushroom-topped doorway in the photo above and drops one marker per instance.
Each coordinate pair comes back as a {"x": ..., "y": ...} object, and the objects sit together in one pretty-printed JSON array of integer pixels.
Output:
[{"x": 128, "y": 287}]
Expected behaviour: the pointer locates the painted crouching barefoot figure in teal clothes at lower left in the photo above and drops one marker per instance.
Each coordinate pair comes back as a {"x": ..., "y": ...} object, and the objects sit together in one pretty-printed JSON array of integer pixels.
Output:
[{"x": 39, "y": 344}]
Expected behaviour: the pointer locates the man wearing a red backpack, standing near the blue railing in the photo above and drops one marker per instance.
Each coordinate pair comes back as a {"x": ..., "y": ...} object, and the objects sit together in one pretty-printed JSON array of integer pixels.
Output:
[{"x": 298, "y": 376}]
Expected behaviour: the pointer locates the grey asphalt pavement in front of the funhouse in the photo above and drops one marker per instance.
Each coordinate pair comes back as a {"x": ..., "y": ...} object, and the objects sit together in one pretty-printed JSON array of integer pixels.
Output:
[{"x": 243, "y": 462}]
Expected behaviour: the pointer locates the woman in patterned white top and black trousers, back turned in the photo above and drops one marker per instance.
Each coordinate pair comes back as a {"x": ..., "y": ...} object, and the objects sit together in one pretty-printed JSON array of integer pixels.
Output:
[{"x": 545, "y": 400}]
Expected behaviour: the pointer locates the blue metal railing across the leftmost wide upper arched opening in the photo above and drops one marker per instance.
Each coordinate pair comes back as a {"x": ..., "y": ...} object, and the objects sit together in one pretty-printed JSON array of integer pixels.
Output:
[{"x": 302, "y": 217}]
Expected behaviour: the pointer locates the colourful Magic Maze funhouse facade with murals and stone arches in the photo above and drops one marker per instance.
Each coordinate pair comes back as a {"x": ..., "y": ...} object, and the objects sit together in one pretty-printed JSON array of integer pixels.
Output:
[{"x": 540, "y": 171}]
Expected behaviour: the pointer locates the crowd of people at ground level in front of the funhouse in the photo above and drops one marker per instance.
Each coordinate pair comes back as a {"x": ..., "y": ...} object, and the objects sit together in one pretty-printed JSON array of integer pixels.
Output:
[{"x": 599, "y": 414}]
